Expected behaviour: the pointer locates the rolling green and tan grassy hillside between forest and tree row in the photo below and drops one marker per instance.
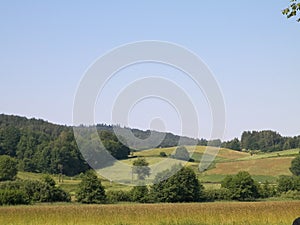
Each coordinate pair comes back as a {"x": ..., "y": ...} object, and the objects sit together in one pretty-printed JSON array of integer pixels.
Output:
[{"x": 264, "y": 166}]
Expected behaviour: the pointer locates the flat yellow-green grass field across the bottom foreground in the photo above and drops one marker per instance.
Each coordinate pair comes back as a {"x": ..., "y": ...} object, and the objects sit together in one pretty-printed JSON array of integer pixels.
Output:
[{"x": 258, "y": 213}]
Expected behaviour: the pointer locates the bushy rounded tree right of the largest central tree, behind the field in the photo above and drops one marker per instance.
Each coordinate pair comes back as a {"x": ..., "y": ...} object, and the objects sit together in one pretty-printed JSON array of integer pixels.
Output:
[{"x": 241, "y": 186}]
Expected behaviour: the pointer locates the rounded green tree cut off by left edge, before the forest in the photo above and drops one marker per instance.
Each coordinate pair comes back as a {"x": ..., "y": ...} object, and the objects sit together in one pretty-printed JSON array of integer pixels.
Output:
[{"x": 8, "y": 168}]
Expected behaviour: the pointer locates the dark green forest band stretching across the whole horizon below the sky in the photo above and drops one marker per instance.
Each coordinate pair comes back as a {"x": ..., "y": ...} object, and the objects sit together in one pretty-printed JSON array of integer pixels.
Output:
[{"x": 40, "y": 146}]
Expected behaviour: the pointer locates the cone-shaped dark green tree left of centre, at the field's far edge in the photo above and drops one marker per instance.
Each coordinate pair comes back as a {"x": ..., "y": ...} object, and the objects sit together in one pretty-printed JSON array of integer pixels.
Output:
[{"x": 91, "y": 189}]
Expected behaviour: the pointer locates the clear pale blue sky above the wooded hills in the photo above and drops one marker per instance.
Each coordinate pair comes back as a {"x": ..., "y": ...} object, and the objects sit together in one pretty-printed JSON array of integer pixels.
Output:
[{"x": 252, "y": 50}]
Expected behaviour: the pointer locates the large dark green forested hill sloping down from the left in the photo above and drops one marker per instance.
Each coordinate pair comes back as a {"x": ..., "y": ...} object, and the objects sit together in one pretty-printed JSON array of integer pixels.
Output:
[{"x": 40, "y": 146}]
